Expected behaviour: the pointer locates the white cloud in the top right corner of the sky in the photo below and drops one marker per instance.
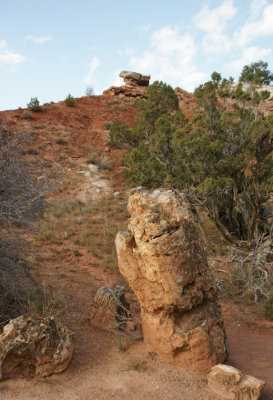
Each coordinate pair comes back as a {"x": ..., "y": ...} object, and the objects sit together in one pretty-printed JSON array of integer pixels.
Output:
[{"x": 255, "y": 28}]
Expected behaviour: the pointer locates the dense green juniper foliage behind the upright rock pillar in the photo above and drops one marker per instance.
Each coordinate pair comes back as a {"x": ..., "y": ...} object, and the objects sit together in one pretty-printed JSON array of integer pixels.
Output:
[{"x": 222, "y": 159}]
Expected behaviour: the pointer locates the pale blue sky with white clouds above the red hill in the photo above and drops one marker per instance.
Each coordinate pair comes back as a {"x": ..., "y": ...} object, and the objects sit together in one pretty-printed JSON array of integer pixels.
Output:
[{"x": 54, "y": 48}]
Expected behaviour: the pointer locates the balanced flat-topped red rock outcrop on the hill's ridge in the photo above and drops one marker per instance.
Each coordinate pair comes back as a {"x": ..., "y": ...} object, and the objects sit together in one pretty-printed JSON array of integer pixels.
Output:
[{"x": 135, "y": 85}]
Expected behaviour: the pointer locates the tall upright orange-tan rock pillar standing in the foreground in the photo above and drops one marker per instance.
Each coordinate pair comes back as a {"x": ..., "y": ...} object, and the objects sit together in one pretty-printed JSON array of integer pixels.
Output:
[{"x": 165, "y": 265}]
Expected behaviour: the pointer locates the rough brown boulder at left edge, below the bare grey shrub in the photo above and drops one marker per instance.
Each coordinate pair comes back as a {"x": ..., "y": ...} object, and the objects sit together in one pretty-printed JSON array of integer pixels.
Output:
[{"x": 34, "y": 347}]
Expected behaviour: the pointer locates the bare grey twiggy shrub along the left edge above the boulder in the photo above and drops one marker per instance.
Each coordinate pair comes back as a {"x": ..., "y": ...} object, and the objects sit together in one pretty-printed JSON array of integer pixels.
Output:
[{"x": 21, "y": 202}]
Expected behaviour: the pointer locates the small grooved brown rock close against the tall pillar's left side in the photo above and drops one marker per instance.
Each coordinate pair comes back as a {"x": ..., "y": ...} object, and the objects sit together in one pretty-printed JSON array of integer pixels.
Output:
[{"x": 110, "y": 310}]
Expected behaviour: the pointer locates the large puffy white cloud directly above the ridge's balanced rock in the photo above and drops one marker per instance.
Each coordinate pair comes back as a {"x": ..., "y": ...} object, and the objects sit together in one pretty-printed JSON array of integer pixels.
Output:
[{"x": 170, "y": 58}]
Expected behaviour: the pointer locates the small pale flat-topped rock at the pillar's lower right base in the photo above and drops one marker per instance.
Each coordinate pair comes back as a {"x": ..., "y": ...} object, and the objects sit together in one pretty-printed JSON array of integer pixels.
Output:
[{"x": 230, "y": 384}]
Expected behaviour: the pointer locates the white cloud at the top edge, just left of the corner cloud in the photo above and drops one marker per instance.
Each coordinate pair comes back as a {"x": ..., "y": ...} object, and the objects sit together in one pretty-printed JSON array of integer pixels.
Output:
[{"x": 213, "y": 22}]
